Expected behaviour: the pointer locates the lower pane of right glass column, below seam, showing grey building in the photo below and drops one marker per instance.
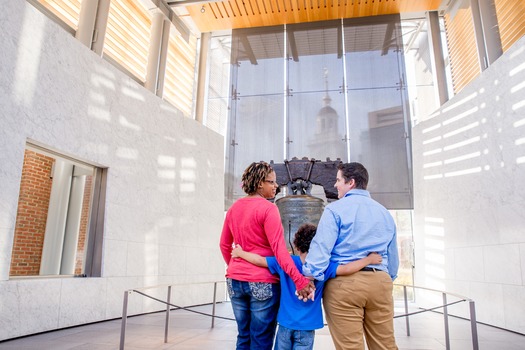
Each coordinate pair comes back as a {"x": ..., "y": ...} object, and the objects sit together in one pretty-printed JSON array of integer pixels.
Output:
[{"x": 377, "y": 141}]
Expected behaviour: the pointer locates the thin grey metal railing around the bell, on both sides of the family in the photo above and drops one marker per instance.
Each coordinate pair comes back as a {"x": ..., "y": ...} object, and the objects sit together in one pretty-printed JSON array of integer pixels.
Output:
[{"x": 169, "y": 306}]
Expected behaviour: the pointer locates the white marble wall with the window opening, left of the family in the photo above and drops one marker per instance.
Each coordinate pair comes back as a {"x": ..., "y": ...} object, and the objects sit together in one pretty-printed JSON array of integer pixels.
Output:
[{"x": 164, "y": 204}]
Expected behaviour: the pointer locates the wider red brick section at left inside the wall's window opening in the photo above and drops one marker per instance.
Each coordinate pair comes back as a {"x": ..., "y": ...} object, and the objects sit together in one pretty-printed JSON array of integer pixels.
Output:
[{"x": 33, "y": 203}]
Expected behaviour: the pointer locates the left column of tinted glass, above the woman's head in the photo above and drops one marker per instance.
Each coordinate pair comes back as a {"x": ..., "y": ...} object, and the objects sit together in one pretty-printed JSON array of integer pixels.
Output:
[{"x": 256, "y": 117}]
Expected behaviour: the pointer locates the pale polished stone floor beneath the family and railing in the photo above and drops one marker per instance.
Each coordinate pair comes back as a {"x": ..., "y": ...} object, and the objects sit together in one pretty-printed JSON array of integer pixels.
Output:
[{"x": 190, "y": 330}]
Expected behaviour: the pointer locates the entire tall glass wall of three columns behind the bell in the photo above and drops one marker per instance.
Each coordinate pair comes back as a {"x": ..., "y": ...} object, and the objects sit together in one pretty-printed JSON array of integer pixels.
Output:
[{"x": 322, "y": 90}]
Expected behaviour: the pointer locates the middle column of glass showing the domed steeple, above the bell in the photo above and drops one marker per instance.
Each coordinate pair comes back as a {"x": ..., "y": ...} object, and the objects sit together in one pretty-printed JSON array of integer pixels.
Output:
[{"x": 316, "y": 116}]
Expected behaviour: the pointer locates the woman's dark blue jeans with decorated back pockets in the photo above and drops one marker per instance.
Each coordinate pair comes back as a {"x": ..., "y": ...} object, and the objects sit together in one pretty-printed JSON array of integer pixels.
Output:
[{"x": 255, "y": 306}]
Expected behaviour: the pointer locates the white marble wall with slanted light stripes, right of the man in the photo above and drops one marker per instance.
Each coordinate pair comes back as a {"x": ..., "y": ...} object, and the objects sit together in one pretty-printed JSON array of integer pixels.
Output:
[{"x": 469, "y": 172}]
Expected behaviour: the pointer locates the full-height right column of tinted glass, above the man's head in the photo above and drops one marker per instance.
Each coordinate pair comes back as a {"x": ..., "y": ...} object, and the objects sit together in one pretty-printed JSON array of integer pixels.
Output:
[{"x": 377, "y": 107}]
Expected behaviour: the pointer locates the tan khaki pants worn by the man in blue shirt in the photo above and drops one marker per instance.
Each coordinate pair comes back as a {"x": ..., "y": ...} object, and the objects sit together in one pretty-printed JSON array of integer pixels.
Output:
[{"x": 357, "y": 305}]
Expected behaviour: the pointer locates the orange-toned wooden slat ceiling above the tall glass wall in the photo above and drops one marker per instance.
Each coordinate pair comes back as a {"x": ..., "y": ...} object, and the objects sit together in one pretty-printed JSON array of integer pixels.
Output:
[{"x": 234, "y": 14}]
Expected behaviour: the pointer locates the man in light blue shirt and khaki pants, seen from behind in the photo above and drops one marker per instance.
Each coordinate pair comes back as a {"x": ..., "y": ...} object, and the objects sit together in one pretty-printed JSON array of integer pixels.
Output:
[{"x": 349, "y": 229}]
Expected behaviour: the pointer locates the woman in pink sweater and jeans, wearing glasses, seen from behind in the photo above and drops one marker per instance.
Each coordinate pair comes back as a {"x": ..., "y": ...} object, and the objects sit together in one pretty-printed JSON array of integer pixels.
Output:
[{"x": 255, "y": 224}]
